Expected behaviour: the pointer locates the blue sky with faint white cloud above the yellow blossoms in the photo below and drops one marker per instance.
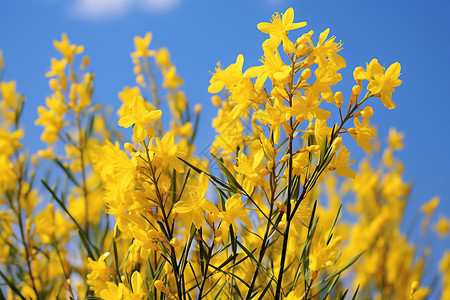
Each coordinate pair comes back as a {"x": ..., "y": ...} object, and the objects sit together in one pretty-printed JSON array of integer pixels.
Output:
[{"x": 200, "y": 33}]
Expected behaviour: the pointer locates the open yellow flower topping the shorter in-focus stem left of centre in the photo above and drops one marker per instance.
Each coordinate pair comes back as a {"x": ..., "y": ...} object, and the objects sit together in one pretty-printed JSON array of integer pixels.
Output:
[{"x": 140, "y": 117}]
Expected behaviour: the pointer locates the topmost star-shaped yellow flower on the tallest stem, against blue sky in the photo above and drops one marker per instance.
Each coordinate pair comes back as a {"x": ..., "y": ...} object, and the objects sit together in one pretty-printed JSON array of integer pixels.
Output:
[{"x": 278, "y": 30}]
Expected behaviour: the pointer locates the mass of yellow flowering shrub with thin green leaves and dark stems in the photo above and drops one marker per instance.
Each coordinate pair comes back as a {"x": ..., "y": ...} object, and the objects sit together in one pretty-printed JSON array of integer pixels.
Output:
[{"x": 145, "y": 217}]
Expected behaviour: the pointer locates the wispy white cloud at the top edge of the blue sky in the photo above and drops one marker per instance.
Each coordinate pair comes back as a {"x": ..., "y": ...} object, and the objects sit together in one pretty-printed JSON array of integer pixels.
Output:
[{"x": 107, "y": 9}]
